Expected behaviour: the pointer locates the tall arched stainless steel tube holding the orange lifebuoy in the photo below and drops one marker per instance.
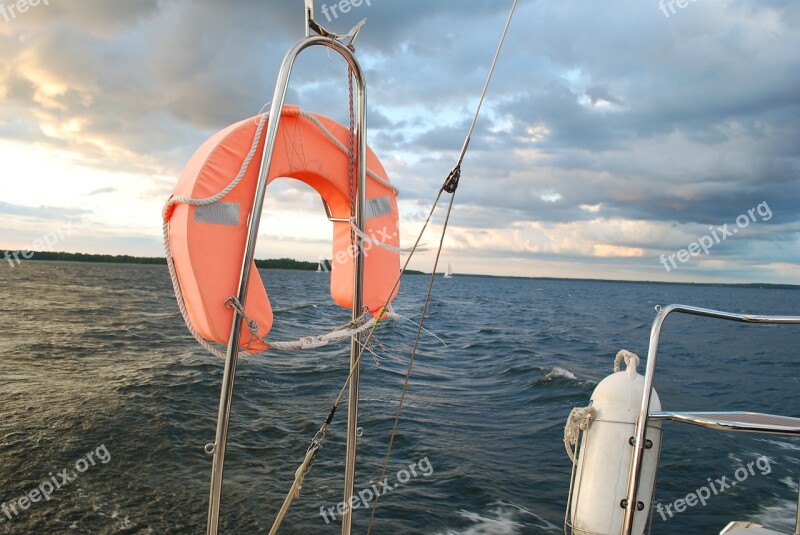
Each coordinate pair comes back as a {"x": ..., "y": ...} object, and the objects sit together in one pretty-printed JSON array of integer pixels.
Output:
[{"x": 231, "y": 358}]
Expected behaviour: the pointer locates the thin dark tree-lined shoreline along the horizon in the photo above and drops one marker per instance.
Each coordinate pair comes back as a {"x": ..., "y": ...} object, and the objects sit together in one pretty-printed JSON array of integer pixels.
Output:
[{"x": 299, "y": 265}]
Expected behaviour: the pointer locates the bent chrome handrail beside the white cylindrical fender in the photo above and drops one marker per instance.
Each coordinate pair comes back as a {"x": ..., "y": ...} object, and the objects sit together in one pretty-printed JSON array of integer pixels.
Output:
[{"x": 641, "y": 422}]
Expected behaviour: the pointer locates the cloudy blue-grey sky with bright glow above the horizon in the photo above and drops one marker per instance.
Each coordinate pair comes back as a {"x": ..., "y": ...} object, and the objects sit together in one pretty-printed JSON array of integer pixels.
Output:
[{"x": 614, "y": 132}]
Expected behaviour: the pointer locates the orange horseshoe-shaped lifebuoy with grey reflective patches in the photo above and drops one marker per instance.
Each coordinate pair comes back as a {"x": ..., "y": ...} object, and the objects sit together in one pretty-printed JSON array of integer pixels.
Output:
[{"x": 207, "y": 243}]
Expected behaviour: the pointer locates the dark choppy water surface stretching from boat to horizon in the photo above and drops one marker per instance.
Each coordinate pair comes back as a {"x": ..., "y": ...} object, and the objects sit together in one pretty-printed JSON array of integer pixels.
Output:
[{"x": 98, "y": 354}]
